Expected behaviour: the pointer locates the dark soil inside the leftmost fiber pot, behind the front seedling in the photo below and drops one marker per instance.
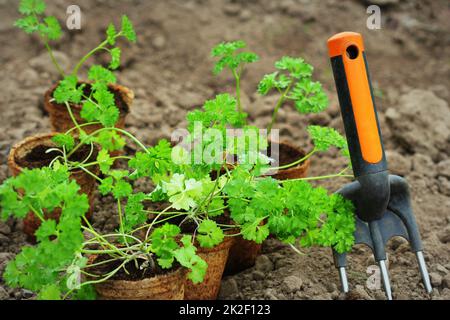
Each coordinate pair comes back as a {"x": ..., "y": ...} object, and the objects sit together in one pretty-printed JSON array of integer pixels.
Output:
[{"x": 38, "y": 157}]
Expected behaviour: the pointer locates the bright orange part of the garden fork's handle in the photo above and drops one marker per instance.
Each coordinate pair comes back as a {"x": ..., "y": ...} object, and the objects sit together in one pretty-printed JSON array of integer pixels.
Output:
[{"x": 349, "y": 46}]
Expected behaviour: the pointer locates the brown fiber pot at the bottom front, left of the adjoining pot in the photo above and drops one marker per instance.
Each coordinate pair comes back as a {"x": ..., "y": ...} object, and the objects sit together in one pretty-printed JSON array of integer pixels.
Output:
[{"x": 168, "y": 286}]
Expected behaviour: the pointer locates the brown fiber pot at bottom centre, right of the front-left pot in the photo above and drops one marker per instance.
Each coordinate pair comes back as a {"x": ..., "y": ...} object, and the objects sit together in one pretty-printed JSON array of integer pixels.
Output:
[{"x": 216, "y": 259}]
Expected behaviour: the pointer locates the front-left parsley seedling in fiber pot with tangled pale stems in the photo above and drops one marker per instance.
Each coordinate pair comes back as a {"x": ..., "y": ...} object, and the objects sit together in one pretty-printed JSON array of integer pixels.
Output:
[{"x": 64, "y": 264}]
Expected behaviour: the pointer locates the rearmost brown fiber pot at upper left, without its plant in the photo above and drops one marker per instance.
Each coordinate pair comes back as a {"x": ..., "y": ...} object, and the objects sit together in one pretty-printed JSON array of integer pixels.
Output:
[{"x": 61, "y": 121}]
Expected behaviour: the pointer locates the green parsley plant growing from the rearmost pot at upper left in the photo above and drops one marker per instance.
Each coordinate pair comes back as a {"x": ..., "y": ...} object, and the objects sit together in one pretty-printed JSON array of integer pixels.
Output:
[{"x": 97, "y": 99}]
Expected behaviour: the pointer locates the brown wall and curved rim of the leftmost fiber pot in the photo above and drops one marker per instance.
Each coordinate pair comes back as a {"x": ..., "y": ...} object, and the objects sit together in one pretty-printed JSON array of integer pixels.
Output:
[{"x": 19, "y": 151}]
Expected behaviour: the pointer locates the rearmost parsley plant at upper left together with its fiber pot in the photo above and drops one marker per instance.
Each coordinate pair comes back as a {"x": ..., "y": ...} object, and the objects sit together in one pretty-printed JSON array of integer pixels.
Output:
[{"x": 89, "y": 105}]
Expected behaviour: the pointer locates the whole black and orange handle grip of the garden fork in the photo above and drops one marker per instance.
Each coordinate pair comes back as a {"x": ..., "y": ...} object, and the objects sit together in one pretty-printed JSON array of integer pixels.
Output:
[{"x": 358, "y": 109}]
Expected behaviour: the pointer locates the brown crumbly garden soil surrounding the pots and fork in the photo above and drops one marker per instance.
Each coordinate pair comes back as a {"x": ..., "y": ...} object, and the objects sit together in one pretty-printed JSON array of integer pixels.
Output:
[{"x": 170, "y": 72}]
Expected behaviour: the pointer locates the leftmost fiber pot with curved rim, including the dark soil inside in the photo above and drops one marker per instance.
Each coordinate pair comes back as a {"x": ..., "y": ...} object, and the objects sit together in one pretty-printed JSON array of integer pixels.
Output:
[{"x": 30, "y": 154}]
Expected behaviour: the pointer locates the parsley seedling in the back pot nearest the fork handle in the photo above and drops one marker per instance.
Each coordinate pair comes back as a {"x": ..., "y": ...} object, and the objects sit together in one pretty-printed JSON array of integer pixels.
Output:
[{"x": 293, "y": 81}]
